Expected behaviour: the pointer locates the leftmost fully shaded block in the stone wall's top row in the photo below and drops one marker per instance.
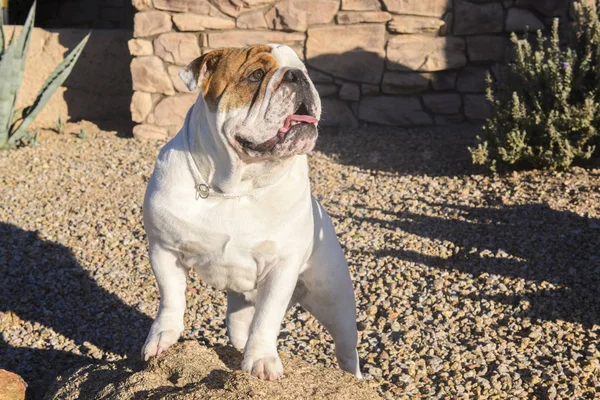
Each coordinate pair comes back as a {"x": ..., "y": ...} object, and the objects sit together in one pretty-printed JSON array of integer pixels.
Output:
[{"x": 472, "y": 18}]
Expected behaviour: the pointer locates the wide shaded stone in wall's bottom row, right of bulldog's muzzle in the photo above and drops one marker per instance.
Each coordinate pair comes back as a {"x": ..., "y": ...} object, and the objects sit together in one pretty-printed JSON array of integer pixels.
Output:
[{"x": 393, "y": 110}]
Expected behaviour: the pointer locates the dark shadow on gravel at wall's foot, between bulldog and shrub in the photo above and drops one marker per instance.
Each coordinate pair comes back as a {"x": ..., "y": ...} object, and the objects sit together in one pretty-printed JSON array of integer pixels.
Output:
[{"x": 432, "y": 151}]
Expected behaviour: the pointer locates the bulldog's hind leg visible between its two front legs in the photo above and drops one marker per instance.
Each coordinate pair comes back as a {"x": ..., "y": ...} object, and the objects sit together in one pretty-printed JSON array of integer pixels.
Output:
[{"x": 239, "y": 318}]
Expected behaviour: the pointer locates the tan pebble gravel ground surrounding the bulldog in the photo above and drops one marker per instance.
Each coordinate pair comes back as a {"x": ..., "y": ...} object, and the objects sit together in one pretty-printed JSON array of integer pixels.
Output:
[{"x": 468, "y": 285}]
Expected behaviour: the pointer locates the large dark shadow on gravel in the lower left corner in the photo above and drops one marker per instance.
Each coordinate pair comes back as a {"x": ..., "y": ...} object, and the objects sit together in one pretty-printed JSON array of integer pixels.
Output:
[{"x": 42, "y": 282}]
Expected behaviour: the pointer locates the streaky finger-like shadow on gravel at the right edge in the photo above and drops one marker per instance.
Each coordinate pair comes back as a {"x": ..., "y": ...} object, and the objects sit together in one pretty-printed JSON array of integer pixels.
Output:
[{"x": 546, "y": 245}]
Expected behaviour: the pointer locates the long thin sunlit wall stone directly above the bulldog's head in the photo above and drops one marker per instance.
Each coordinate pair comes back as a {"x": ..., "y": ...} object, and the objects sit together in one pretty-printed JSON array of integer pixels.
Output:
[{"x": 244, "y": 38}]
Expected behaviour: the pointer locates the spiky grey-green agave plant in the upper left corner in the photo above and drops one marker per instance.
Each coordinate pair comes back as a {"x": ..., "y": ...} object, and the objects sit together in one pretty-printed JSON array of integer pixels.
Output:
[{"x": 14, "y": 123}]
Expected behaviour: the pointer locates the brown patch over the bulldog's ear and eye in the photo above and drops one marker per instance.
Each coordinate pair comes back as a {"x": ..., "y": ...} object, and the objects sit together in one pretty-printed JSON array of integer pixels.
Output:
[{"x": 225, "y": 76}]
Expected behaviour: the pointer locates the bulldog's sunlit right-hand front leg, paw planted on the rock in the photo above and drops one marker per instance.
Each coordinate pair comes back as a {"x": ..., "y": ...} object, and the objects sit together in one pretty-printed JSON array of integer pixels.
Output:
[{"x": 273, "y": 296}]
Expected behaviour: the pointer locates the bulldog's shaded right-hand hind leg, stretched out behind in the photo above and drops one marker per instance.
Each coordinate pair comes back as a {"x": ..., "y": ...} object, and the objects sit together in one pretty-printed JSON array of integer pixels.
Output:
[{"x": 325, "y": 290}]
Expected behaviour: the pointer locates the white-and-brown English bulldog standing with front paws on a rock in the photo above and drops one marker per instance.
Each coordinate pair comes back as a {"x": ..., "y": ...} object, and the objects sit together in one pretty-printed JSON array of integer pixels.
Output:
[{"x": 230, "y": 199}]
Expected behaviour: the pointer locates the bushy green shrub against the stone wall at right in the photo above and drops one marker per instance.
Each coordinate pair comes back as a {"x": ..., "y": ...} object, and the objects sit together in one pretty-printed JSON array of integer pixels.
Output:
[{"x": 546, "y": 103}]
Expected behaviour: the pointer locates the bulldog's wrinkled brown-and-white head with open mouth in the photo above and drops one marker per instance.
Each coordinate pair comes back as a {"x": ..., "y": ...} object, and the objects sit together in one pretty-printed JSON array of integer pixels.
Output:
[{"x": 261, "y": 98}]
